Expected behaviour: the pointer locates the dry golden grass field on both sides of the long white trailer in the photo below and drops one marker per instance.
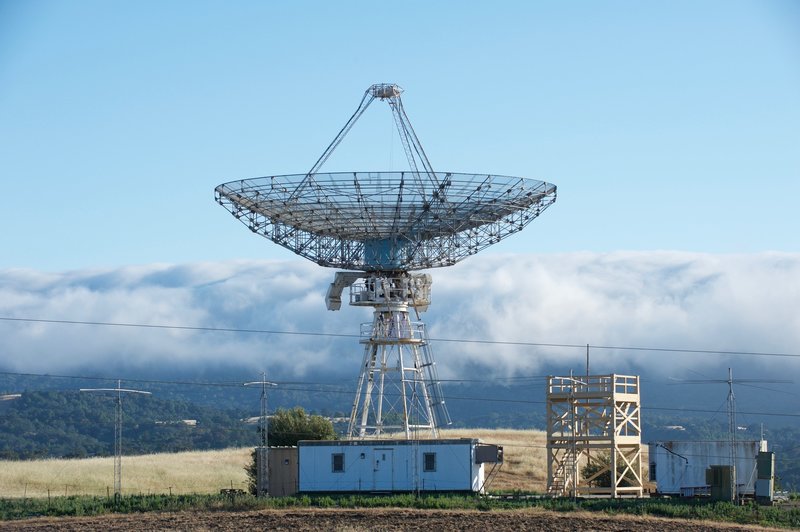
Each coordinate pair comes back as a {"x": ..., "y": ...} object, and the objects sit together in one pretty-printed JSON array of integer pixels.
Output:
[{"x": 525, "y": 468}]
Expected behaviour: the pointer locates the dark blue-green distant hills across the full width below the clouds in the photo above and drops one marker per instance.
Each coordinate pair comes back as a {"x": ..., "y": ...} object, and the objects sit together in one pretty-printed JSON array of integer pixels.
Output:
[{"x": 61, "y": 422}]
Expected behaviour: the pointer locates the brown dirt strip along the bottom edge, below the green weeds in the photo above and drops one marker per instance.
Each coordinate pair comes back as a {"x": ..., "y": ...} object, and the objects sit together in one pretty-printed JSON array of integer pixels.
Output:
[{"x": 378, "y": 519}]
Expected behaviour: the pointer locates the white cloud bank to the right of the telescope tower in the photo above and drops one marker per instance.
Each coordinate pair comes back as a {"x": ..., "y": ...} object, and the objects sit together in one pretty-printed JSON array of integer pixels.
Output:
[{"x": 653, "y": 299}]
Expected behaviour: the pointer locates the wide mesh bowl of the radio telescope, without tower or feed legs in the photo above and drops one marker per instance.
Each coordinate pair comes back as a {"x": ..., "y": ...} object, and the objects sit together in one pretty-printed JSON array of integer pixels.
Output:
[{"x": 386, "y": 221}]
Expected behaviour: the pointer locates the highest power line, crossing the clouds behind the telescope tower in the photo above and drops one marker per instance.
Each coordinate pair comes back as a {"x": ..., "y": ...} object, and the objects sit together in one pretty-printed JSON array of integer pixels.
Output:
[{"x": 449, "y": 340}]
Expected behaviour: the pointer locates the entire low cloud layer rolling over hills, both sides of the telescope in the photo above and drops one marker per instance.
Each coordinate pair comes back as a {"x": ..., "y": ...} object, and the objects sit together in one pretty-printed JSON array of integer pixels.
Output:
[{"x": 644, "y": 299}]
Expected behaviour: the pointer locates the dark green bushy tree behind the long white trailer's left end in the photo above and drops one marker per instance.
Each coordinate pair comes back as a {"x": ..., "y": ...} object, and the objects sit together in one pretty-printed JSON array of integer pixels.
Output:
[{"x": 286, "y": 428}]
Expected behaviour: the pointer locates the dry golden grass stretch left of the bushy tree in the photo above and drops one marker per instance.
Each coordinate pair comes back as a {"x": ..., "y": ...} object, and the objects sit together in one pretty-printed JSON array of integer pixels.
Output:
[{"x": 187, "y": 472}]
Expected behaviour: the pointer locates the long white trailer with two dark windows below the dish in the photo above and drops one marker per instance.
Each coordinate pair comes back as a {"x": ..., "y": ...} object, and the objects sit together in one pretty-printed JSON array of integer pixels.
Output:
[{"x": 394, "y": 465}]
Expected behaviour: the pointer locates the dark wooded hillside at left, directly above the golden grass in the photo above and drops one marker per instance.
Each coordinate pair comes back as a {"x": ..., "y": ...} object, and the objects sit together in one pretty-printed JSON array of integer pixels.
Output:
[{"x": 74, "y": 424}]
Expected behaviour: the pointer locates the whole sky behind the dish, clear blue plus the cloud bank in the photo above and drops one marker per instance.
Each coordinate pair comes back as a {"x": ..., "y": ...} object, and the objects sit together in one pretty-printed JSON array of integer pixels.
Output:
[{"x": 671, "y": 129}]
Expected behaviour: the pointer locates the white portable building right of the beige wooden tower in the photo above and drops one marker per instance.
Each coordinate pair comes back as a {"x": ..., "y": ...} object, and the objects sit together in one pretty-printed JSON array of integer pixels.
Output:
[{"x": 679, "y": 467}]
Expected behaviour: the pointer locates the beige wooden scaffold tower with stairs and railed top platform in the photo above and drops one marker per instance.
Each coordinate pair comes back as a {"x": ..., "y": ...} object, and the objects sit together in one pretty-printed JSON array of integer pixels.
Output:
[{"x": 595, "y": 421}]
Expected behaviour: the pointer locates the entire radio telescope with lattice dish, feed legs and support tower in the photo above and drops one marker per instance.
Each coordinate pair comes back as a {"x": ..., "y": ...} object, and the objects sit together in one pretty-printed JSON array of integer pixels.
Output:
[{"x": 384, "y": 225}]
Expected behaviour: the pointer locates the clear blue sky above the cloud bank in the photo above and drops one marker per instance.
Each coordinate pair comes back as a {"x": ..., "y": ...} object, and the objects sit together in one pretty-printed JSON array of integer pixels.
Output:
[{"x": 670, "y": 126}]
